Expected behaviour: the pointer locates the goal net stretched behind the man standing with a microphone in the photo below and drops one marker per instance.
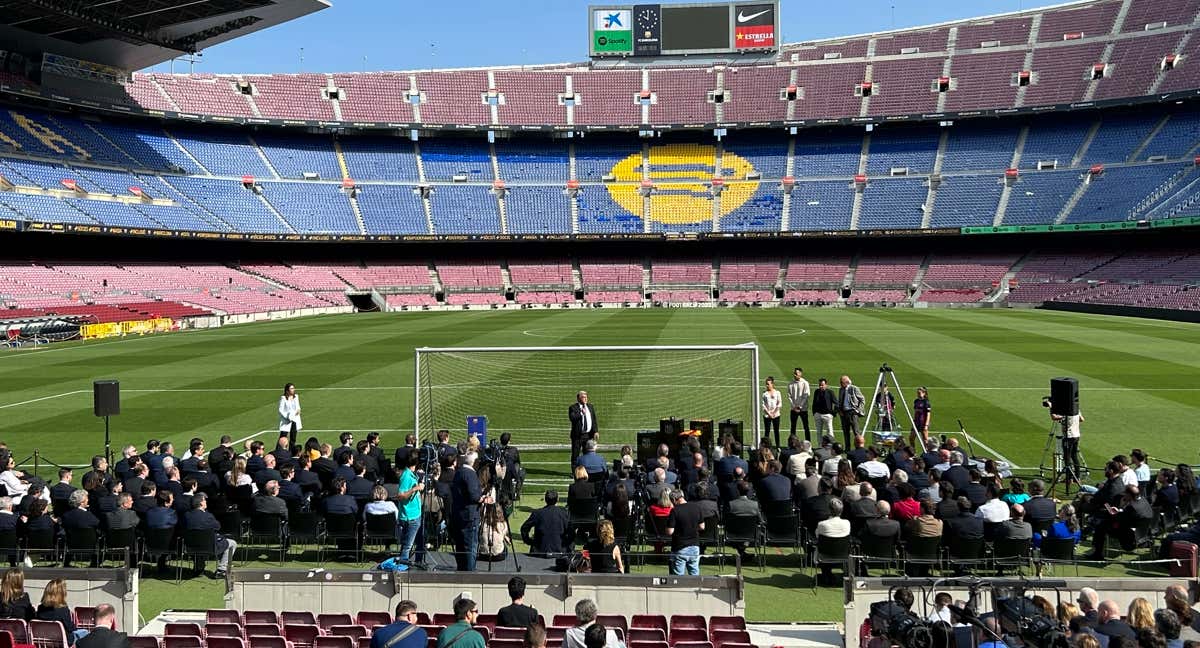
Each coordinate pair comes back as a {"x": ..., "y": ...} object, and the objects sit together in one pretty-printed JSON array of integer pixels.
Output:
[{"x": 527, "y": 391}]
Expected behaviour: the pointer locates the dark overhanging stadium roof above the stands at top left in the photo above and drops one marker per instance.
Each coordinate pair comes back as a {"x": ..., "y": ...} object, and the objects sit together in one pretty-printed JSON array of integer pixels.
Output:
[{"x": 136, "y": 34}]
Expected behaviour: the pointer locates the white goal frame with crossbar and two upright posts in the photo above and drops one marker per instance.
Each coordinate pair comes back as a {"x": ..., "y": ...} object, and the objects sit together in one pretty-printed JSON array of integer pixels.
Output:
[{"x": 752, "y": 380}]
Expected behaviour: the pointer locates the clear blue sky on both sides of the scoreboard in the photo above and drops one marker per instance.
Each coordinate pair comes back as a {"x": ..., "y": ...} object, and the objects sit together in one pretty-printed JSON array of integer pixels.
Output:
[{"x": 356, "y": 35}]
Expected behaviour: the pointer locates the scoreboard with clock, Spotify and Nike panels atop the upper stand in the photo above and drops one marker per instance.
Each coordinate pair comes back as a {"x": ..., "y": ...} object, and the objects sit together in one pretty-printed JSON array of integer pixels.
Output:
[{"x": 668, "y": 31}]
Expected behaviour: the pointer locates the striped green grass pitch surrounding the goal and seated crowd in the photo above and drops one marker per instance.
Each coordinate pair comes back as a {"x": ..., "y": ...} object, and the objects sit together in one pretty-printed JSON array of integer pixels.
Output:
[{"x": 1139, "y": 382}]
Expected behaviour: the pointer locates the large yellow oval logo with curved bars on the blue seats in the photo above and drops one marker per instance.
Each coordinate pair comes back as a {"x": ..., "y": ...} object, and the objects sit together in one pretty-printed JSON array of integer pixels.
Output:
[{"x": 680, "y": 173}]
